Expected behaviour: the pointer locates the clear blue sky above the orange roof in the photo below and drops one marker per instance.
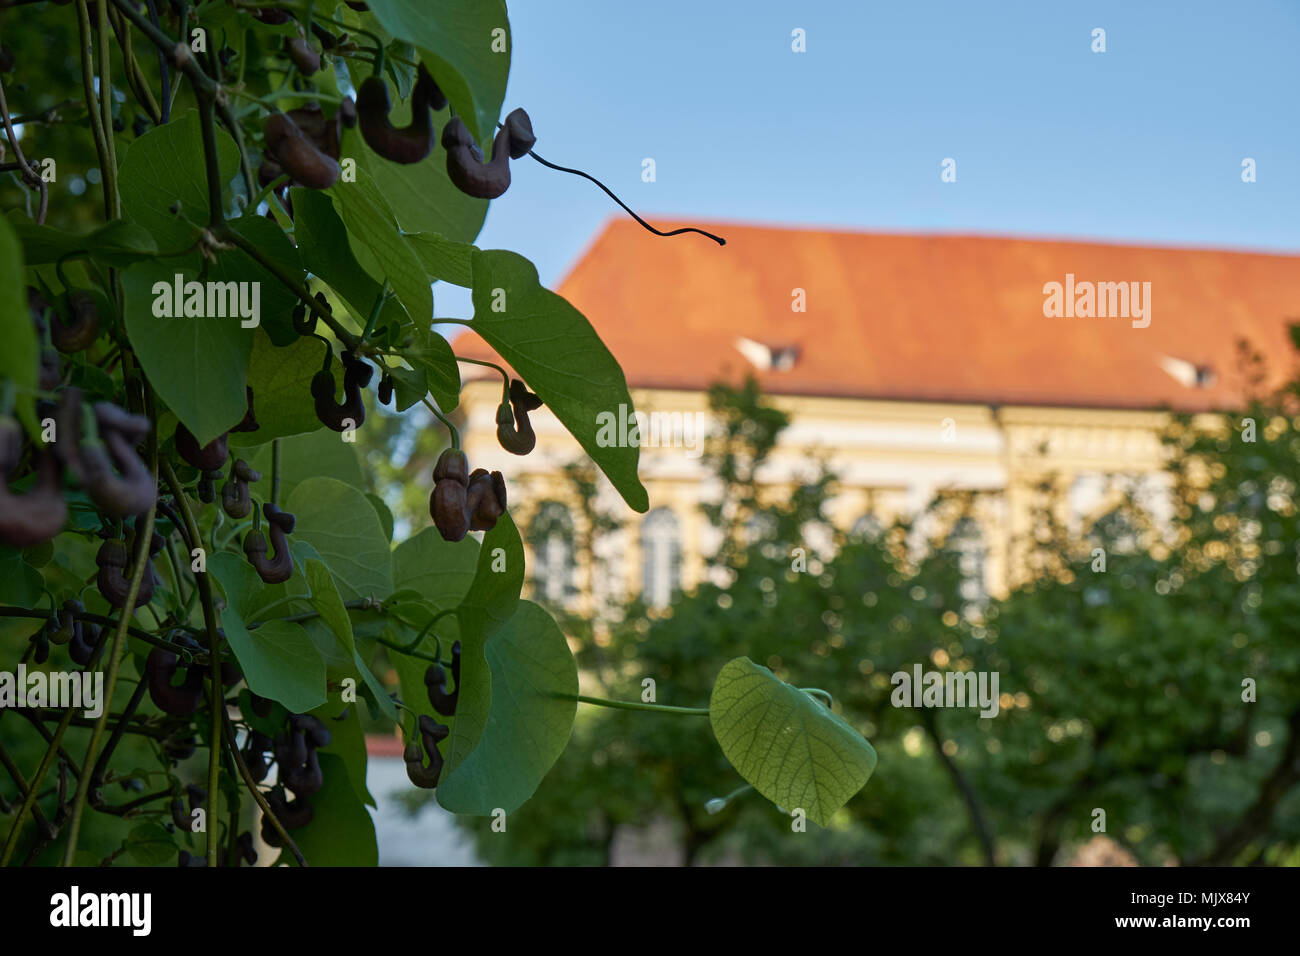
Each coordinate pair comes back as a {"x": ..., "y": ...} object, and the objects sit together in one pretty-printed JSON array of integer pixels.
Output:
[{"x": 1141, "y": 144}]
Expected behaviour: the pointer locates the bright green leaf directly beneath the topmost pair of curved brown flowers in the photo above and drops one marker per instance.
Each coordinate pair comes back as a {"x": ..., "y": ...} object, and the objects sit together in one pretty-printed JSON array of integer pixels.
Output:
[{"x": 421, "y": 194}]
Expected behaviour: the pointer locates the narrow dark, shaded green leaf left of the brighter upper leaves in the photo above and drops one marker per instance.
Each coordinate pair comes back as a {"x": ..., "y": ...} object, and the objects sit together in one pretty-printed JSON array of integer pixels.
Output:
[{"x": 323, "y": 246}]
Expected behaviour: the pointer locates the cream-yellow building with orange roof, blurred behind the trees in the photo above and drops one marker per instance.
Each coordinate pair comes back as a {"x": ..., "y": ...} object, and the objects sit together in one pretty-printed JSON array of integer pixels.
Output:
[{"x": 912, "y": 364}]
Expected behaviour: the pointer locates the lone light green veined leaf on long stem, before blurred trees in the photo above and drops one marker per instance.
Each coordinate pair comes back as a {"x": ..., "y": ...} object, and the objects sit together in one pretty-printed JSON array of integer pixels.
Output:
[{"x": 790, "y": 746}]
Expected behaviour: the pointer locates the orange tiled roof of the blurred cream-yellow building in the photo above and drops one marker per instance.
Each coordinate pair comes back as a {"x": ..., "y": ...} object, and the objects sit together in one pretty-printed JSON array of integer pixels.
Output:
[{"x": 928, "y": 318}]
